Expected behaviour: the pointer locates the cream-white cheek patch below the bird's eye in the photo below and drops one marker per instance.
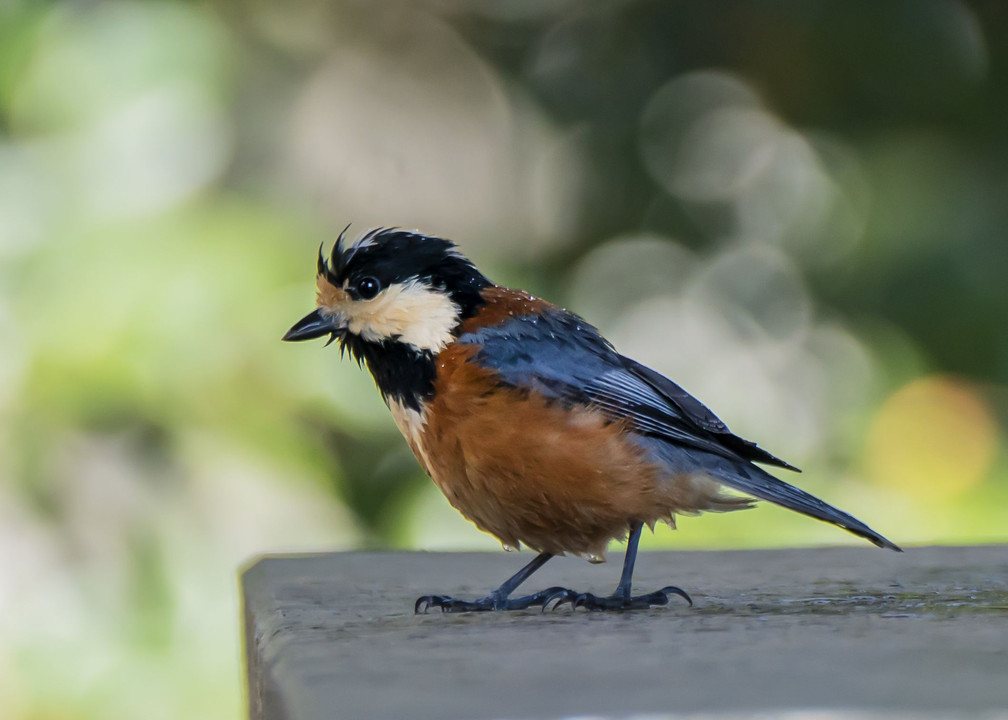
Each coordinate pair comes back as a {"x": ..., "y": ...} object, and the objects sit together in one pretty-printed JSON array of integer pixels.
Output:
[{"x": 411, "y": 312}]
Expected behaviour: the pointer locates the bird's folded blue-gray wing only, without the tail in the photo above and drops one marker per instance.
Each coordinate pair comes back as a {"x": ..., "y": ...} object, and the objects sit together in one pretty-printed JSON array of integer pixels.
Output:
[{"x": 563, "y": 357}]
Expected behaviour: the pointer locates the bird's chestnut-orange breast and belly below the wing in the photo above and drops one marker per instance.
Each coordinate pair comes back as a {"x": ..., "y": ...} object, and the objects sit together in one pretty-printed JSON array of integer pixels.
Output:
[{"x": 557, "y": 479}]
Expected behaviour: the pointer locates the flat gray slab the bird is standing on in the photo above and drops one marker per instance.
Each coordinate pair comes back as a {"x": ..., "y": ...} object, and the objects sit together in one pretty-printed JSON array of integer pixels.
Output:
[{"x": 842, "y": 633}]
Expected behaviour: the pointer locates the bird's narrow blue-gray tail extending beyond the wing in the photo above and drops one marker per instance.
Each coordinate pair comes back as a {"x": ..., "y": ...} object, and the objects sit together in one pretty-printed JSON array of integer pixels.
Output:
[{"x": 760, "y": 484}]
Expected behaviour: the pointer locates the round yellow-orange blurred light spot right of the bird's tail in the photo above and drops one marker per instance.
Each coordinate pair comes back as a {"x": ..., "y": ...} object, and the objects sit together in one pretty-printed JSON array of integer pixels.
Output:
[{"x": 935, "y": 438}]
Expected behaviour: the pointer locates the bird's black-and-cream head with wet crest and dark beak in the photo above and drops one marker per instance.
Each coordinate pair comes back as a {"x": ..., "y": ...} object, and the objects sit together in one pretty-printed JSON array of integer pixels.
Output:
[{"x": 393, "y": 288}]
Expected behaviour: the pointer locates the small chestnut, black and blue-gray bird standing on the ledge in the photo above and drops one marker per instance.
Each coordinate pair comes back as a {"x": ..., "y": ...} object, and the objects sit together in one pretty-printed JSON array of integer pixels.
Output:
[{"x": 530, "y": 422}]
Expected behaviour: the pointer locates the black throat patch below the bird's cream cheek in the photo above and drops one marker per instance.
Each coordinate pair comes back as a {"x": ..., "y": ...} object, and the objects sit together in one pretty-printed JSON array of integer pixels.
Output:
[{"x": 402, "y": 373}]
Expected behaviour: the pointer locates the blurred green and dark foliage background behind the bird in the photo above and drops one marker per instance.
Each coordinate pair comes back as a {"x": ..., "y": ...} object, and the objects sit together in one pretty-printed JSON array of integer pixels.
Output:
[{"x": 797, "y": 209}]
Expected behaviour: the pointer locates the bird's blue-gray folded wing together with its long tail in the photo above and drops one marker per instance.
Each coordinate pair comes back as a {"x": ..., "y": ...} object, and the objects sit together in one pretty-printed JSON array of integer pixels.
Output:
[{"x": 561, "y": 356}]
